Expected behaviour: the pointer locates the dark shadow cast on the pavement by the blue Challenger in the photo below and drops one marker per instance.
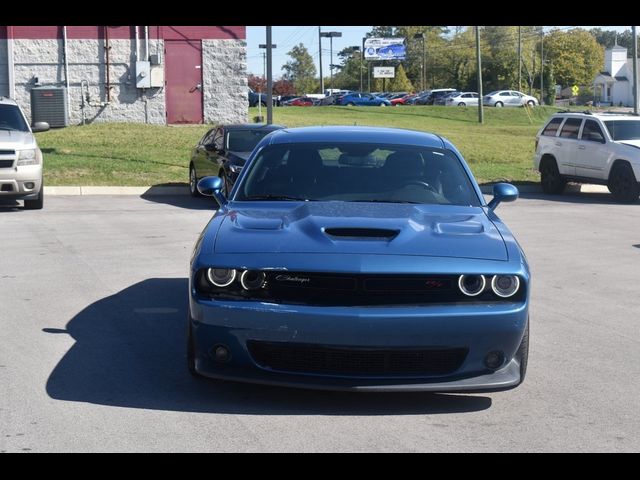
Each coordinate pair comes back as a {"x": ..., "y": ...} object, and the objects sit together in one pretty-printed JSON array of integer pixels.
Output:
[{"x": 129, "y": 351}]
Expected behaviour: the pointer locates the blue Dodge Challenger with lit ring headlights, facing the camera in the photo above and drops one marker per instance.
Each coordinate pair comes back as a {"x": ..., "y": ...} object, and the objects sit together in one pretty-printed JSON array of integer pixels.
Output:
[{"x": 358, "y": 258}]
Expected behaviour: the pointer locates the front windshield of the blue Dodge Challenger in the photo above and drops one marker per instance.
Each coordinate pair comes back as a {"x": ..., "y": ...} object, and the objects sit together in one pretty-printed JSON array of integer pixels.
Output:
[{"x": 357, "y": 173}]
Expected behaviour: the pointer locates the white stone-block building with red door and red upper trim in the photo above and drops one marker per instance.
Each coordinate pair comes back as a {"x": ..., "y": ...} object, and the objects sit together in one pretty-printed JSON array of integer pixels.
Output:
[{"x": 146, "y": 74}]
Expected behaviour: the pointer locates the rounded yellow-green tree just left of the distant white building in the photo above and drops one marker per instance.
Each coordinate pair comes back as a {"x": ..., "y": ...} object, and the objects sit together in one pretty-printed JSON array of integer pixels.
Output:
[{"x": 575, "y": 56}]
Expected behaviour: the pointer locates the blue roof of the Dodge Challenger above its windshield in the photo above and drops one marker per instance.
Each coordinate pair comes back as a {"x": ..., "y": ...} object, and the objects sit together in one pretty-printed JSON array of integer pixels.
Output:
[{"x": 355, "y": 134}]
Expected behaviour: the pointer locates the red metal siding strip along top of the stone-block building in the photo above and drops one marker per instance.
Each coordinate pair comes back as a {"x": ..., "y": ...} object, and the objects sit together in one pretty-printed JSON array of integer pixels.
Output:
[{"x": 76, "y": 32}]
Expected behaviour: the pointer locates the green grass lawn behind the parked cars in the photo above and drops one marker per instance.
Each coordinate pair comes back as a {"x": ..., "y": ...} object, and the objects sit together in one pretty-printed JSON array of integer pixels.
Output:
[{"x": 135, "y": 154}]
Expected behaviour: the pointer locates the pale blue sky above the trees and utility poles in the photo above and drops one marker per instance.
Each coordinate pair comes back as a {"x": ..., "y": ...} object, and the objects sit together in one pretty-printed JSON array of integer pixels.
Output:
[{"x": 286, "y": 37}]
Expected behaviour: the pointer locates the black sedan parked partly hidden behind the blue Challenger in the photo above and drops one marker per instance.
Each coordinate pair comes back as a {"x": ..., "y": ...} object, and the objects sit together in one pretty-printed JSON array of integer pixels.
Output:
[{"x": 223, "y": 151}]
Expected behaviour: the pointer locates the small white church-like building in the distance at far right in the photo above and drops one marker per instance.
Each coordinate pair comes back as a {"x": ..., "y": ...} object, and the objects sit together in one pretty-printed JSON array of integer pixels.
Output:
[{"x": 614, "y": 85}]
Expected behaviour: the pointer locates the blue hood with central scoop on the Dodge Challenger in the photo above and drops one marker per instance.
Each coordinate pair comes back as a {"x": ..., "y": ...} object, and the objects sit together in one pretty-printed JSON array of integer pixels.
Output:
[{"x": 362, "y": 228}]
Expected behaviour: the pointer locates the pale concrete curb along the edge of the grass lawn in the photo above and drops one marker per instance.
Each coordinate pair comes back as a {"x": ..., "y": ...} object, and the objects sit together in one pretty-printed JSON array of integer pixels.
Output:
[{"x": 184, "y": 190}]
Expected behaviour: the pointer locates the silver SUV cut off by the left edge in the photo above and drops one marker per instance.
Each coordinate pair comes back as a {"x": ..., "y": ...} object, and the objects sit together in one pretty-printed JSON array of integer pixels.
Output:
[{"x": 20, "y": 157}]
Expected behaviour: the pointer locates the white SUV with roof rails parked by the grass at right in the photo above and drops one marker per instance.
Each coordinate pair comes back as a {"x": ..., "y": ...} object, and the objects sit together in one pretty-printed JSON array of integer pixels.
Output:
[{"x": 590, "y": 148}]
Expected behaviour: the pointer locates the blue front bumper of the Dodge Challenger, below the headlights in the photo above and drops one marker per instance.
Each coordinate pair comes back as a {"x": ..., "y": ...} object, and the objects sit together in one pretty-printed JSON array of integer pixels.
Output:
[{"x": 480, "y": 328}]
